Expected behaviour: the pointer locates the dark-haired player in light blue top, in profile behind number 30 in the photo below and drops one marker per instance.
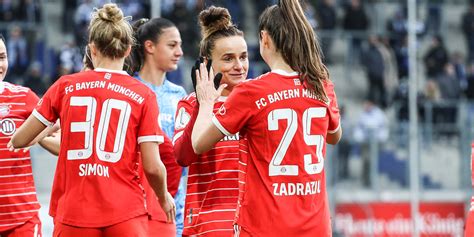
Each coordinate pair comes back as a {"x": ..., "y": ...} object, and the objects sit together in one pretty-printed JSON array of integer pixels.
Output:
[{"x": 157, "y": 52}]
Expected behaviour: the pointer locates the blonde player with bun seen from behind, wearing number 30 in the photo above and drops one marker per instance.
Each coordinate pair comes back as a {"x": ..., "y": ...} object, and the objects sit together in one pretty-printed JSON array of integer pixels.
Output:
[{"x": 105, "y": 118}]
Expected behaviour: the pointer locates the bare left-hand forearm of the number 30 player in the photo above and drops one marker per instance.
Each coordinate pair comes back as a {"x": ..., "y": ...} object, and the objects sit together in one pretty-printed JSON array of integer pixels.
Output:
[{"x": 28, "y": 131}]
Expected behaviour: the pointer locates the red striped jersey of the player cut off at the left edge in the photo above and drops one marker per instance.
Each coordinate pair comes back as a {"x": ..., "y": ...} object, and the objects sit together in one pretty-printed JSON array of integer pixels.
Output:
[{"x": 18, "y": 202}]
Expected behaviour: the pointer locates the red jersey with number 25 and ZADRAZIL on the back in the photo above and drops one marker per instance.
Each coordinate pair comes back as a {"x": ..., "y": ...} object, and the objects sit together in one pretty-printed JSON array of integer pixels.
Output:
[{"x": 284, "y": 192}]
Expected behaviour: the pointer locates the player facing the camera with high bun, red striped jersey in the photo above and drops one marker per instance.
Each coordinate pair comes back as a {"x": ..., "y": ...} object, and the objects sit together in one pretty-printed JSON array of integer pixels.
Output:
[{"x": 212, "y": 192}]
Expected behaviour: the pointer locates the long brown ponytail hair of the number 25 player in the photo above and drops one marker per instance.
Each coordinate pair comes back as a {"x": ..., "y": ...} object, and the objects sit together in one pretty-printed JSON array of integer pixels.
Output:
[{"x": 295, "y": 39}]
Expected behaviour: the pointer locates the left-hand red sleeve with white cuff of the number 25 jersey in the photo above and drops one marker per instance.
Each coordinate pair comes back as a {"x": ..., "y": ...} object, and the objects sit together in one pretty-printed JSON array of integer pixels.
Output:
[{"x": 235, "y": 111}]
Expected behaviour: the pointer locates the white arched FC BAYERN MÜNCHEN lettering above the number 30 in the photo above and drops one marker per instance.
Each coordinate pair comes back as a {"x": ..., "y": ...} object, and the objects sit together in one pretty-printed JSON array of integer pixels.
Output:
[{"x": 105, "y": 85}]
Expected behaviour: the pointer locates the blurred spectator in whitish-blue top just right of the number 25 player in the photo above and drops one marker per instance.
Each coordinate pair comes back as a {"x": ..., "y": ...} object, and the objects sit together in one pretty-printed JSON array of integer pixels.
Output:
[{"x": 372, "y": 127}]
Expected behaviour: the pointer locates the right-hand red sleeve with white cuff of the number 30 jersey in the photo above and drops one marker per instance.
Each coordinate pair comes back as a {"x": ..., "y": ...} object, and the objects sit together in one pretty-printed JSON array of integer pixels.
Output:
[{"x": 150, "y": 131}]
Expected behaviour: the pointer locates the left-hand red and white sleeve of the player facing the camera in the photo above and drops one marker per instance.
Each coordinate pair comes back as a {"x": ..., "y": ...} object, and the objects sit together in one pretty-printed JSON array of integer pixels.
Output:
[{"x": 186, "y": 115}]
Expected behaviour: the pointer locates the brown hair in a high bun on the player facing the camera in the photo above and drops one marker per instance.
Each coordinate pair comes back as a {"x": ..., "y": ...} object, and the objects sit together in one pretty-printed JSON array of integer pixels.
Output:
[{"x": 215, "y": 23}]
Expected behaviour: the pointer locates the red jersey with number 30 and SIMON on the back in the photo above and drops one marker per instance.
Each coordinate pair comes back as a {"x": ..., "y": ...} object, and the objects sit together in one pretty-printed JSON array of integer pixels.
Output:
[{"x": 105, "y": 115}]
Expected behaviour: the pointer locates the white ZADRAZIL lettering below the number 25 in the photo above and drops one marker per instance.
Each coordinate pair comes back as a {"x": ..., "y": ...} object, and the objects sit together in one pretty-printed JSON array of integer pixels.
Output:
[{"x": 297, "y": 189}]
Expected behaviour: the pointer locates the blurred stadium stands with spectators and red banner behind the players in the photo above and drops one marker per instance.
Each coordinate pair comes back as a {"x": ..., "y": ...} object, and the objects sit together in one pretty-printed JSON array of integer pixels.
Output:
[{"x": 45, "y": 39}]
